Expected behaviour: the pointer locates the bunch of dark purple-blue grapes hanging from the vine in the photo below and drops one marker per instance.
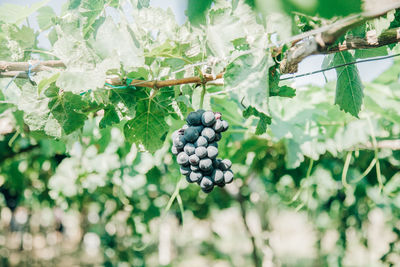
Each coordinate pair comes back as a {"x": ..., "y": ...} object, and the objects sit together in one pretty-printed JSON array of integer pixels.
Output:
[{"x": 196, "y": 147}]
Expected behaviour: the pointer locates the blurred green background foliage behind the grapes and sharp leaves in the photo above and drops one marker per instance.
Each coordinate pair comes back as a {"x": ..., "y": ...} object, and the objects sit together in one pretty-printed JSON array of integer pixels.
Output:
[{"x": 314, "y": 190}]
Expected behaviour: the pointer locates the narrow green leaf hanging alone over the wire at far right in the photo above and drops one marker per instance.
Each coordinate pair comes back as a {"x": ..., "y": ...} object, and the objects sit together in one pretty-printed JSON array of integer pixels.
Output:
[{"x": 349, "y": 89}]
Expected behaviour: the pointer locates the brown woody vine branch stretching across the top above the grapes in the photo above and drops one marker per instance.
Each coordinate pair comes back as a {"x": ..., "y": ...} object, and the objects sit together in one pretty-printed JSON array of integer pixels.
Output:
[{"x": 322, "y": 42}]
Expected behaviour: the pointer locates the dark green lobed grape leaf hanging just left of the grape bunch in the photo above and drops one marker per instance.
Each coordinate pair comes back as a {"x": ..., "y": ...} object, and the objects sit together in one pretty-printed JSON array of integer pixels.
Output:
[{"x": 149, "y": 128}]
